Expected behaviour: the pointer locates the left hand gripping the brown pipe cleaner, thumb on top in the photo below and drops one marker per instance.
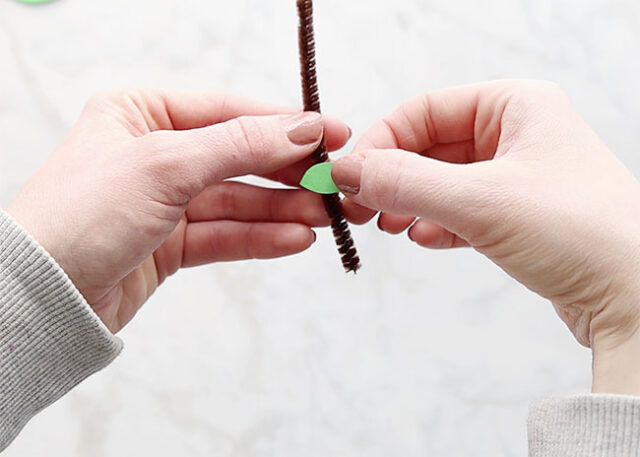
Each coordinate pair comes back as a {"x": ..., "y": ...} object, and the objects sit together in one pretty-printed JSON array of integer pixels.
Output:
[{"x": 136, "y": 191}]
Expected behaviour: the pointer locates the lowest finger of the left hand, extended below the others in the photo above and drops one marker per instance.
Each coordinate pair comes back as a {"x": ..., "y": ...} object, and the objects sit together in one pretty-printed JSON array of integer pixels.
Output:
[{"x": 221, "y": 241}]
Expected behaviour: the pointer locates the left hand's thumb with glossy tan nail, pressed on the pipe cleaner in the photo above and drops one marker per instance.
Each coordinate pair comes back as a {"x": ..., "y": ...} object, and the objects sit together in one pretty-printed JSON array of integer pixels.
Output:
[{"x": 194, "y": 159}]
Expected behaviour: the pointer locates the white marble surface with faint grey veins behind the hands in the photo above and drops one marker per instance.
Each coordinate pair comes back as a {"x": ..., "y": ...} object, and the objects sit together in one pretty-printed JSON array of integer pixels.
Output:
[{"x": 423, "y": 353}]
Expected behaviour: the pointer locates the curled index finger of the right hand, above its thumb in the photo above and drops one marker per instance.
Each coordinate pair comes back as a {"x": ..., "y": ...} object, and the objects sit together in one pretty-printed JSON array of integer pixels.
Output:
[{"x": 460, "y": 114}]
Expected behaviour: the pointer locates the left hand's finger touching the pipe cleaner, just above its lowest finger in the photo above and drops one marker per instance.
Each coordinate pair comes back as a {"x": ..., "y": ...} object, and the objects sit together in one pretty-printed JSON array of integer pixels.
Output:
[{"x": 243, "y": 202}]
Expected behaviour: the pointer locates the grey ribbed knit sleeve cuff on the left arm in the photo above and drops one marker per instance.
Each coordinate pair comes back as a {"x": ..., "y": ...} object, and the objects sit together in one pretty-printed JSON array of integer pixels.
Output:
[{"x": 50, "y": 339}]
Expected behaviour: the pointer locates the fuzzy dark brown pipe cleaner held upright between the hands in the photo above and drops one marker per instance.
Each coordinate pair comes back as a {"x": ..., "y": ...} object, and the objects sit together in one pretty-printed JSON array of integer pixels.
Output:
[{"x": 311, "y": 96}]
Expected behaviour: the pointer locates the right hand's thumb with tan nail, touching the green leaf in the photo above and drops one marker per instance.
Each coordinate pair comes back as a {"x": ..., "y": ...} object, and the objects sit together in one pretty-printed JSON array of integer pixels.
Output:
[{"x": 407, "y": 184}]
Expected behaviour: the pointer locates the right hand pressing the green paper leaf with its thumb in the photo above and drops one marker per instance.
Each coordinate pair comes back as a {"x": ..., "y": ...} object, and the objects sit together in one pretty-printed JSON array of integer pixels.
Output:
[{"x": 510, "y": 169}]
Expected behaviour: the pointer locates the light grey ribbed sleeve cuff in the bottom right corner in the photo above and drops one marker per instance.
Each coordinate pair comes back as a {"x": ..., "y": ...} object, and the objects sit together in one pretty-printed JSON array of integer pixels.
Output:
[{"x": 585, "y": 426}]
